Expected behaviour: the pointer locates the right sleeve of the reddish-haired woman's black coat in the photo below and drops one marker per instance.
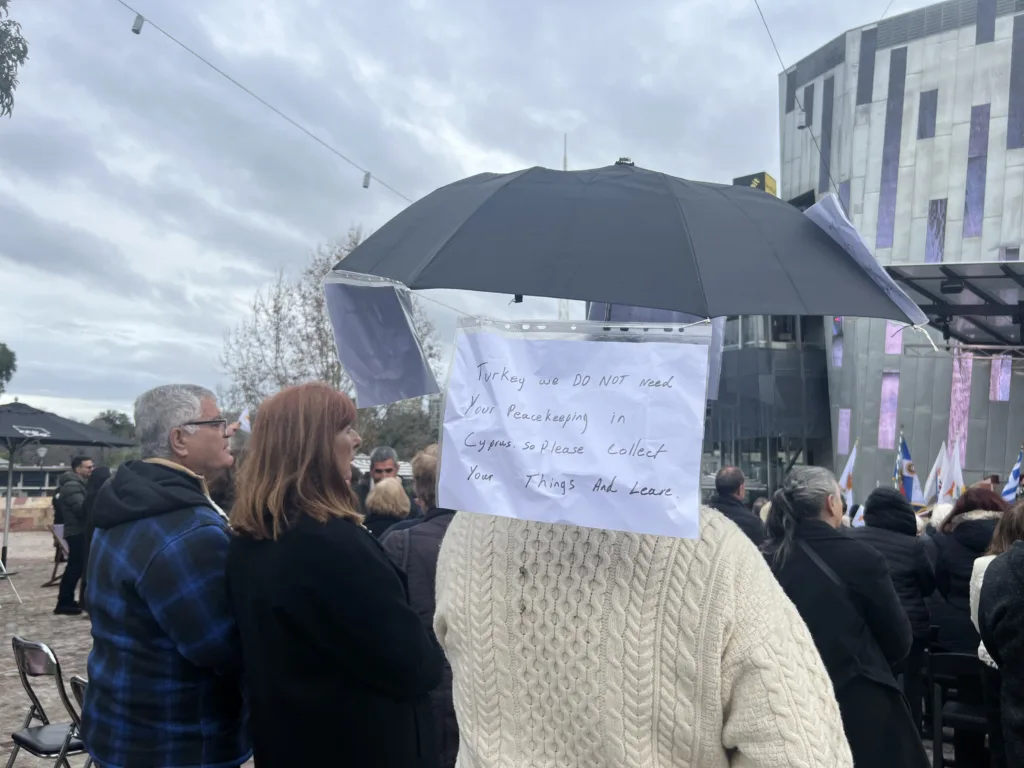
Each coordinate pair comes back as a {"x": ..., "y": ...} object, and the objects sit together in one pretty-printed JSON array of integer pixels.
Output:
[{"x": 380, "y": 639}]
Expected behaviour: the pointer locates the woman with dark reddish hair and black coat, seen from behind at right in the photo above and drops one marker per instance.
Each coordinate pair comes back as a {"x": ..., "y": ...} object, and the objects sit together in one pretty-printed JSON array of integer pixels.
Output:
[{"x": 961, "y": 539}]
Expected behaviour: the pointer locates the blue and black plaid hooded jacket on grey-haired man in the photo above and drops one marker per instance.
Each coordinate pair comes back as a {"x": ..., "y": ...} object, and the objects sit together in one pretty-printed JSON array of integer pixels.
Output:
[{"x": 166, "y": 663}]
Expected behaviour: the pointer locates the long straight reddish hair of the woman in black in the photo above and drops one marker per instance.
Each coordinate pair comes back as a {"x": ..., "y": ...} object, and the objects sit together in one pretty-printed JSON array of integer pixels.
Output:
[{"x": 290, "y": 466}]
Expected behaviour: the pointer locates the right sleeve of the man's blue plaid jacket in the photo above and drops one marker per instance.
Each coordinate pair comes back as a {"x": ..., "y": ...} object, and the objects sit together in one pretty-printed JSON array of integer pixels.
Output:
[{"x": 186, "y": 588}]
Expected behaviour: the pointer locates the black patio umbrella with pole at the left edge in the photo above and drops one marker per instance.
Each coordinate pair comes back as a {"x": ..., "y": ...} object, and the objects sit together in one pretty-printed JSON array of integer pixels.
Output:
[{"x": 23, "y": 425}]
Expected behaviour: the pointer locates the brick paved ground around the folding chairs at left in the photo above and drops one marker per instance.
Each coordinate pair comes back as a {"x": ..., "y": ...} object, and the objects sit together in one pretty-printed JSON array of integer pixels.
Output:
[{"x": 32, "y": 559}]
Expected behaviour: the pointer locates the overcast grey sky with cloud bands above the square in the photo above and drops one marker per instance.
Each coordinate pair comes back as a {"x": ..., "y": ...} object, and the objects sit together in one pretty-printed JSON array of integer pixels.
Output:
[{"x": 144, "y": 198}]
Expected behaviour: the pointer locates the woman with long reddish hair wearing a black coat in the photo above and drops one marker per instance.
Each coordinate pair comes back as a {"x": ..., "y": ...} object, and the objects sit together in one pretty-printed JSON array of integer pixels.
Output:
[{"x": 339, "y": 665}]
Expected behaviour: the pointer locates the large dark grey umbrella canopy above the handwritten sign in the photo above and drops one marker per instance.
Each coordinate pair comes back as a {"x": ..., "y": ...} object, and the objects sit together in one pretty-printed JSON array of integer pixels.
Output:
[{"x": 623, "y": 235}]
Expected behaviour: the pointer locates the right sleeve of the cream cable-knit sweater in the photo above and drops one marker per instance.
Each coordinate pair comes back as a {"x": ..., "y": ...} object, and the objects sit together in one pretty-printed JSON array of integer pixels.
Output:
[{"x": 778, "y": 701}]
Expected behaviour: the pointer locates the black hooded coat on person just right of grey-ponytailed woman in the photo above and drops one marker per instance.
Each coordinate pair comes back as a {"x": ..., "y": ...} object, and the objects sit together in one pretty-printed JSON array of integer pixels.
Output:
[{"x": 893, "y": 533}]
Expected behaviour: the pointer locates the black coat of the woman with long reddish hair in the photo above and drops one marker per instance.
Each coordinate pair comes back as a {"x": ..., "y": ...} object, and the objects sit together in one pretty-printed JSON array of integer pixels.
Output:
[{"x": 338, "y": 664}]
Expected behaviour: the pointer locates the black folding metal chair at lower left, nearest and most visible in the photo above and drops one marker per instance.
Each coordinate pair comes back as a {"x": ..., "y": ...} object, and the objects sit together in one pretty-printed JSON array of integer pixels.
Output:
[{"x": 47, "y": 740}]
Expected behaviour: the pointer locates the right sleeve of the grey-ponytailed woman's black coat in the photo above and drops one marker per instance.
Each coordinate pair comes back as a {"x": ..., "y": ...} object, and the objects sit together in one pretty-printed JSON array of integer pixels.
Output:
[{"x": 886, "y": 618}]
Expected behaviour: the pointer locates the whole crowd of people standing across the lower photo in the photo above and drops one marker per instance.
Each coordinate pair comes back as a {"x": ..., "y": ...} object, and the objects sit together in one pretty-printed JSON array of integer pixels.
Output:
[{"x": 279, "y": 607}]
